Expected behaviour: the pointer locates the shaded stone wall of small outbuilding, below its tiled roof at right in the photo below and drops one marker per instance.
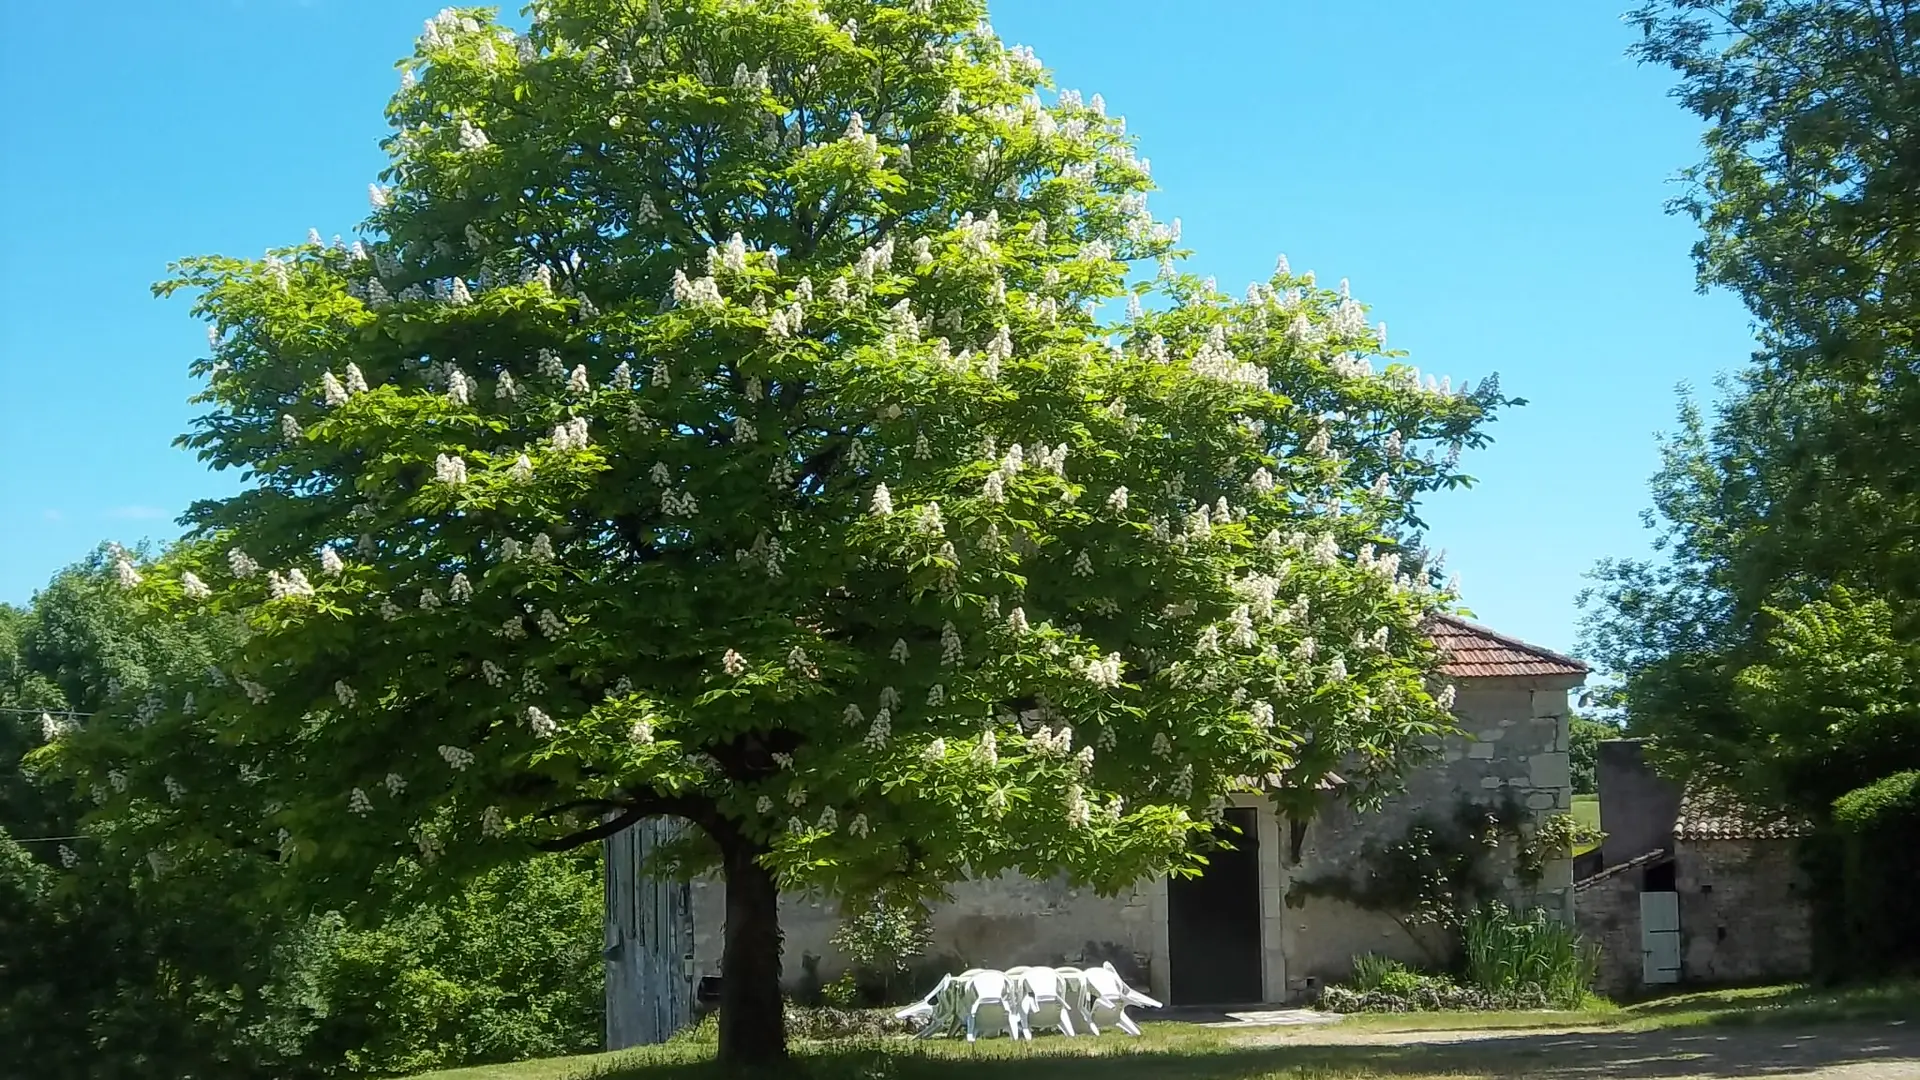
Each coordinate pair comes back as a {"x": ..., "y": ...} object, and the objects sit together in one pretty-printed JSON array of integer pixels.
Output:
[{"x": 1744, "y": 912}]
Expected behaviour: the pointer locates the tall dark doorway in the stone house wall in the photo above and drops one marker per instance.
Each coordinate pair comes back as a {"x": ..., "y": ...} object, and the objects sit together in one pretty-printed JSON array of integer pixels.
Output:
[{"x": 1214, "y": 921}]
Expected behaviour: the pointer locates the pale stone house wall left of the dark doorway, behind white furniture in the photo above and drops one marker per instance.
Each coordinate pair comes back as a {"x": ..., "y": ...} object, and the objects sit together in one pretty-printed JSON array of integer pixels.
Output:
[{"x": 990, "y": 923}]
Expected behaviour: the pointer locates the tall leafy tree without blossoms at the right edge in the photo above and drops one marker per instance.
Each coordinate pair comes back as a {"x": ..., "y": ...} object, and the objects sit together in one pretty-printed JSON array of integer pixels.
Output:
[{"x": 1771, "y": 645}]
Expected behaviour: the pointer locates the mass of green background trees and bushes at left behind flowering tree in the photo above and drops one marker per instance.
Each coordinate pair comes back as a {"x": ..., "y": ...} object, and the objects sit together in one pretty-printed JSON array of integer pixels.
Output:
[{"x": 118, "y": 973}]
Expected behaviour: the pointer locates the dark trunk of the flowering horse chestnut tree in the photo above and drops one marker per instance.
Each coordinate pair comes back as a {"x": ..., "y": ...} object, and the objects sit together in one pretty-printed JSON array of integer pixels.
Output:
[{"x": 754, "y": 1027}]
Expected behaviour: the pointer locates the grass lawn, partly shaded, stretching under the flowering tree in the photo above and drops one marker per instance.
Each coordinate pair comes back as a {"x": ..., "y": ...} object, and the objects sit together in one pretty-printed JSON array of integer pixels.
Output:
[{"x": 1408, "y": 1046}]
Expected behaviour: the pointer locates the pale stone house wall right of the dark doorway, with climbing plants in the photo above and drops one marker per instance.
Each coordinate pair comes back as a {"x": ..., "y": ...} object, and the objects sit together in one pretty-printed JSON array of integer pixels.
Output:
[{"x": 1514, "y": 745}]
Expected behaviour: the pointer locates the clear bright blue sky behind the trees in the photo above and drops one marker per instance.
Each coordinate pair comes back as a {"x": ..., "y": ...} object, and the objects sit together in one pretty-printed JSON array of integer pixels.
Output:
[{"x": 1491, "y": 180}]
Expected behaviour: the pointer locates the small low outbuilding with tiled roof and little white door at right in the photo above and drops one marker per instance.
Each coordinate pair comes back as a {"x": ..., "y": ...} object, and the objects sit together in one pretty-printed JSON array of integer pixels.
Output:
[{"x": 1714, "y": 896}]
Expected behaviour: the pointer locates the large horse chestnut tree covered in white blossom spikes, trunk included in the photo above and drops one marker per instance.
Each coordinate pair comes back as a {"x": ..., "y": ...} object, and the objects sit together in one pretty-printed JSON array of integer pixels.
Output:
[{"x": 784, "y": 418}]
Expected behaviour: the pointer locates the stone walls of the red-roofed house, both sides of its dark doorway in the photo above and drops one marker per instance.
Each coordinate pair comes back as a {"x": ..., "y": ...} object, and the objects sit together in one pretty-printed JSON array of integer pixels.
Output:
[{"x": 1514, "y": 747}]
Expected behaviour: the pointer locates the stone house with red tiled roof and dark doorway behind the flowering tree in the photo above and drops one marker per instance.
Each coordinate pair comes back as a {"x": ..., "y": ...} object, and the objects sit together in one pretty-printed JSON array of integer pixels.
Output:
[{"x": 1236, "y": 935}]
